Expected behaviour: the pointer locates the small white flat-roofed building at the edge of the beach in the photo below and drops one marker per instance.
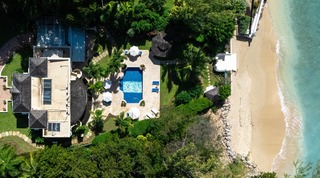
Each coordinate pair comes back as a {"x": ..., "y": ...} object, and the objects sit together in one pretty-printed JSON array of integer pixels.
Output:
[{"x": 225, "y": 62}]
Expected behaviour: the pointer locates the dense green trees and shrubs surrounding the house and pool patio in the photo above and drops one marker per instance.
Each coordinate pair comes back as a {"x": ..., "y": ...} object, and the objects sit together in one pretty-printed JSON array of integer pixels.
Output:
[{"x": 182, "y": 142}]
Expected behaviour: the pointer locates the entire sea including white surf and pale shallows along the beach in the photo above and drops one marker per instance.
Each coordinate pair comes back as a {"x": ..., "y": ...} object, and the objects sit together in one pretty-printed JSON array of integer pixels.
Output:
[{"x": 297, "y": 26}]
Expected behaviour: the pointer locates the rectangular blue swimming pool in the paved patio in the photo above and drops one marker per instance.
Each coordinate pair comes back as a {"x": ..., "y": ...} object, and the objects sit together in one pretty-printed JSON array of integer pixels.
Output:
[{"x": 131, "y": 85}]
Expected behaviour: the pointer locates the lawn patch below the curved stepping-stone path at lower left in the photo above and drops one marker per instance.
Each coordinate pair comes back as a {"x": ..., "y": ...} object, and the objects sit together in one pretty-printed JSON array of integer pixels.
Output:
[{"x": 19, "y": 144}]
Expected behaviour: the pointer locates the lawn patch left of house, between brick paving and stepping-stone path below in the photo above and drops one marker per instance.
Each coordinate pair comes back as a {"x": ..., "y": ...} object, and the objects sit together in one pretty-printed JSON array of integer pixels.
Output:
[{"x": 13, "y": 122}]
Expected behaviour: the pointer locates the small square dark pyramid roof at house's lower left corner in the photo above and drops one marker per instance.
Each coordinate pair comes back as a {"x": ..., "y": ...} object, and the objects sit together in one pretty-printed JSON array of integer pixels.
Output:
[{"x": 38, "y": 119}]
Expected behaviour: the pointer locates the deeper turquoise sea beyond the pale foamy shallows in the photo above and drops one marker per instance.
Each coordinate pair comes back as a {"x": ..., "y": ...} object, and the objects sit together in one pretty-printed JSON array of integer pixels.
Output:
[{"x": 306, "y": 27}]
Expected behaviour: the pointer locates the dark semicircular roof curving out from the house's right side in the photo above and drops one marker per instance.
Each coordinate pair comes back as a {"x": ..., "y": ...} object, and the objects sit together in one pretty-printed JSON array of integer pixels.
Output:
[{"x": 79, "y": 100}]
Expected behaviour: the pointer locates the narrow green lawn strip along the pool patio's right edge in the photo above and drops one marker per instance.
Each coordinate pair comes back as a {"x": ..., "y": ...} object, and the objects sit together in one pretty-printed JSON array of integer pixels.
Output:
[{"x": 168, "y": 85}]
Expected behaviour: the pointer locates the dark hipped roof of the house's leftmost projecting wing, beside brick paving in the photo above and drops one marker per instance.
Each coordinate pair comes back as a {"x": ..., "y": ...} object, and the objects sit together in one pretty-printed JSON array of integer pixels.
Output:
[{"x": 21, "y": 92}]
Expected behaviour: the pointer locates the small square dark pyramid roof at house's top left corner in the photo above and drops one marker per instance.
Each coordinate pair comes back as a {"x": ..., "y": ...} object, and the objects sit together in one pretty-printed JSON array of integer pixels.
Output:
[{"x": 38, "y": 67}]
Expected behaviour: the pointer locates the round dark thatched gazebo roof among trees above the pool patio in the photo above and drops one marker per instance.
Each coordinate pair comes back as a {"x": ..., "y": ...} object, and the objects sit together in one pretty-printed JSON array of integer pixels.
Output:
[{"x": 160, "y": 46}]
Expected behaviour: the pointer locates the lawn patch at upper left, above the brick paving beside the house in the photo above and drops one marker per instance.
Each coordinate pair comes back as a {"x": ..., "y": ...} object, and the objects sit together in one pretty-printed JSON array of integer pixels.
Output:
[{"x": 18, "y": 63}]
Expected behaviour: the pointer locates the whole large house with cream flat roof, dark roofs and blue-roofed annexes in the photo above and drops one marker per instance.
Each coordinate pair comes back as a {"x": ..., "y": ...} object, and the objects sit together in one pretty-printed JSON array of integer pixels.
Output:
[{"x": 53, "y": 96}]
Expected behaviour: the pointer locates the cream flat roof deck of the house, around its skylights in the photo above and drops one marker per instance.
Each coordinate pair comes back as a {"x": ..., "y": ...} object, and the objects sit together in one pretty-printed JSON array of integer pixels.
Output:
[{"x": 59, "y": 106}]
